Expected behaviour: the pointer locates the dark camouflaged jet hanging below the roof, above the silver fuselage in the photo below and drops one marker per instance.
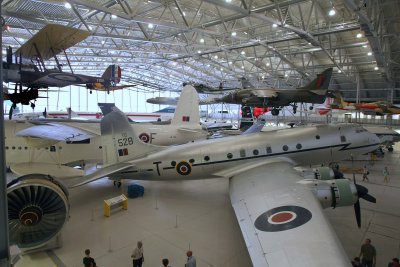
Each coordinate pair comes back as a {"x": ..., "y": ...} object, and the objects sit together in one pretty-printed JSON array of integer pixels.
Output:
[{"x": 315, "y": 92}]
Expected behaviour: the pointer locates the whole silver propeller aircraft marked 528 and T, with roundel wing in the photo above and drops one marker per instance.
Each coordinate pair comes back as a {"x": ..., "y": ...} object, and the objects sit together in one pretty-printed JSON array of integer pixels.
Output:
[{"x": 280, "y": 216}]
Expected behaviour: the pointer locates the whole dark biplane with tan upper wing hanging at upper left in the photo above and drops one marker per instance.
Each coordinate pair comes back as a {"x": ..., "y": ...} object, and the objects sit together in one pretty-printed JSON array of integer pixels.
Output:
[{"x": 44, "y": 45}]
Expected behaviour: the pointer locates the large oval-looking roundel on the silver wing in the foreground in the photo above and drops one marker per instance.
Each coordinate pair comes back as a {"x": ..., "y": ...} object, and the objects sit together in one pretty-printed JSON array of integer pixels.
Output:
[{"x": 282, "y": 218}]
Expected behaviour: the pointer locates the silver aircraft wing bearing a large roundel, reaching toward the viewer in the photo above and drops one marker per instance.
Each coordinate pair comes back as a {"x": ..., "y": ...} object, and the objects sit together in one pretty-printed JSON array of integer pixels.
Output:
[{"x": 281, "y": 220}]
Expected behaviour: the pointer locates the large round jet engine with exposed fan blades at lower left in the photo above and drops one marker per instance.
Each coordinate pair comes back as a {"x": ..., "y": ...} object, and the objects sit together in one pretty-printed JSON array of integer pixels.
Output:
[{"x": 38, "y": 208}]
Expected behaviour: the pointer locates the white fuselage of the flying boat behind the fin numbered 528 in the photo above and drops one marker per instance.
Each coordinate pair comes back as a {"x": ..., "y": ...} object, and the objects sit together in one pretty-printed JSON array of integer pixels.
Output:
[{"x": 29, "y": 150}]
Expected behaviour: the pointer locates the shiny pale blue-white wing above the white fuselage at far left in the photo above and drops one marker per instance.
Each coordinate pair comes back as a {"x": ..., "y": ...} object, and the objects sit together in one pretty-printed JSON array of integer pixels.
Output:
[{"x": 55, "y": 132}]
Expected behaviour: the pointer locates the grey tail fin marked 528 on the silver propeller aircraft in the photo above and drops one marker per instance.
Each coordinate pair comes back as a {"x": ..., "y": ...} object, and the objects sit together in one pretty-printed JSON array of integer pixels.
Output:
[{"x": 120, "y": 141}]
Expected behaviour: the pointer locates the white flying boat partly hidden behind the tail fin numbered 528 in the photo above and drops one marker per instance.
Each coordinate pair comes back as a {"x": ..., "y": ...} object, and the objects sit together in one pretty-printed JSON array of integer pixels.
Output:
[{"x": 55, "y": 146}]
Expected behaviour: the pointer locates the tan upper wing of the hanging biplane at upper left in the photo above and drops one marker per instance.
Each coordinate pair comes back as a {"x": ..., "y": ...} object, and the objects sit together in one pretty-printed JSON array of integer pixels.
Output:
[{"x": 50, "y": 41}]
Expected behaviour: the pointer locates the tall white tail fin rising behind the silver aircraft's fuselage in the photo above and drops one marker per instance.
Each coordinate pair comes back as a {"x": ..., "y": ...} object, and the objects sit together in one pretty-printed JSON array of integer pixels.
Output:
[{"x": 187, "y": 108}]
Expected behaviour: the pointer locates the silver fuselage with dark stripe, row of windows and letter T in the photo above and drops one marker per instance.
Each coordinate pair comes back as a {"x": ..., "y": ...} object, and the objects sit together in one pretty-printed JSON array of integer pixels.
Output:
[{"x": 217, "y": 158}]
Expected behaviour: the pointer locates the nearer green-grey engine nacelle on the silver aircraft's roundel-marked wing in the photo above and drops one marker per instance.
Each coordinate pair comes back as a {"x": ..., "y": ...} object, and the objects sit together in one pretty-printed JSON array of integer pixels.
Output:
[{"x": 336, "y": 193}]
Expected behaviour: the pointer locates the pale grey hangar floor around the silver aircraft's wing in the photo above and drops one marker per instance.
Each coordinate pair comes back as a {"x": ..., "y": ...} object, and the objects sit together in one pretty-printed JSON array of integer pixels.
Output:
[{"x": 175, "y": 216}]
